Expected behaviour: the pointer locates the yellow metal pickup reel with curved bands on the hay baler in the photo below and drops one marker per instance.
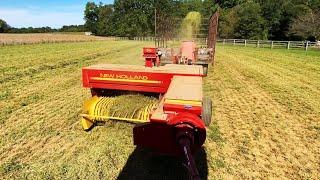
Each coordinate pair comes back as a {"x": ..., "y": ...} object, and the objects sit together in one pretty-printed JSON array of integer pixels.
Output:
[{"x": 98, "y": 109}]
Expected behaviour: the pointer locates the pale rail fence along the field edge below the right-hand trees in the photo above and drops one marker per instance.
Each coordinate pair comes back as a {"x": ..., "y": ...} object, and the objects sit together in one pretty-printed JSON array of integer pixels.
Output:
[{"x": 305, "y": 45}]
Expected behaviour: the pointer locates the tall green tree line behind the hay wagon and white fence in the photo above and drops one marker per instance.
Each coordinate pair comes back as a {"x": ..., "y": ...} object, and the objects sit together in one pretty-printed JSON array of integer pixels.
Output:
[{"x": 245, "y": 19}]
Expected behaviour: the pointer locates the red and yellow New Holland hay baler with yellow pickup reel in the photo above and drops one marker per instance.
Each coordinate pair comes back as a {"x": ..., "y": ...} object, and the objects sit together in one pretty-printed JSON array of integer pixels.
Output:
[{"x": 175, "y": 125}]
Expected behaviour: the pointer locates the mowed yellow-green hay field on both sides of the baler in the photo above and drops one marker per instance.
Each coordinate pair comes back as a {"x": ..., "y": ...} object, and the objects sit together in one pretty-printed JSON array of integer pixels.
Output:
[{"x": 266, "y": 121}]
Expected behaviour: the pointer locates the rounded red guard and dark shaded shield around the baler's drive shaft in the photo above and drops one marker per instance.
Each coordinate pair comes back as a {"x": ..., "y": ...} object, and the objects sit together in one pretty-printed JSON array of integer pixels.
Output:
[{"x": 163, "y": 137}]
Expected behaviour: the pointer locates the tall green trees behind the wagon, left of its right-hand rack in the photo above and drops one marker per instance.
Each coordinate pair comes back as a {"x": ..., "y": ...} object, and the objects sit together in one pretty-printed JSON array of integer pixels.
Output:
[{"x": 136, "y": 17}]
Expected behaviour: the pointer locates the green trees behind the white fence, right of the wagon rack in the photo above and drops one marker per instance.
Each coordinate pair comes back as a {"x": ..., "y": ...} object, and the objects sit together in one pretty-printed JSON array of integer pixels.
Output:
[{"x": 270, "y": 19}]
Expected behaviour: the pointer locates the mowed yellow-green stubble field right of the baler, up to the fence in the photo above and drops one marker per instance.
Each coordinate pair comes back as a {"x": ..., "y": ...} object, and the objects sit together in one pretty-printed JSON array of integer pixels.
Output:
[{"x": 268, "y": 110}]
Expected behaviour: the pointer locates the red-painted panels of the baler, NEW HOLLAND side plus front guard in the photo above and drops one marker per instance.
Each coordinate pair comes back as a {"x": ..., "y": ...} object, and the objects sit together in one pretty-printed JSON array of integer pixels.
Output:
[{"x": 158, "y": 134}]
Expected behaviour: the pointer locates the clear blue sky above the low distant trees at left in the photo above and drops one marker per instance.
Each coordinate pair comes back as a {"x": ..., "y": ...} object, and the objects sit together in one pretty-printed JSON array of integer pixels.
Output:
[{"x": 38, "y": 13}]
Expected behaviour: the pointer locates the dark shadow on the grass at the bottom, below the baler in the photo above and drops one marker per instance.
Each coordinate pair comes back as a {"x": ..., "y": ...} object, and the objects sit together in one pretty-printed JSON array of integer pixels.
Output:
[{"x": 143, "y": 164}]
